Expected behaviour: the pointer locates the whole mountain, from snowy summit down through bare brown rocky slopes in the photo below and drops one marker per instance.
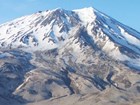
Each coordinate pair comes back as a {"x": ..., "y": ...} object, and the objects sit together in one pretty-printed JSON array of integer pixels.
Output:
[{"x": 75, "y": 52}]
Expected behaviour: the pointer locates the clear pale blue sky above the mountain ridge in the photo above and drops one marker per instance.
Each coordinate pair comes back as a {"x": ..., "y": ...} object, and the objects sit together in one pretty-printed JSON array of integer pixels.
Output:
[{"x": 125, "y": 11}]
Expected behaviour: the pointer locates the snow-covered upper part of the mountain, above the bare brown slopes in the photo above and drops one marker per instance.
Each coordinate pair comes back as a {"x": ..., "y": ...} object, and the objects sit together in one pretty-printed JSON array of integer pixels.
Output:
[{"x": 50, "y": 29}]
